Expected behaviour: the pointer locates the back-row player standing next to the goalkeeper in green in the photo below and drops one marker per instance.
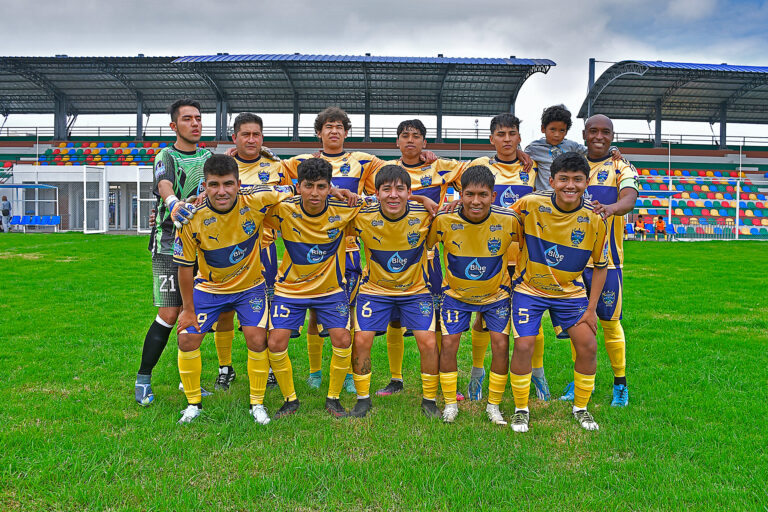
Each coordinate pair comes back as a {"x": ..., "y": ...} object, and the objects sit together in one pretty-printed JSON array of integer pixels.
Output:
[{"x": 257, "y": 165}]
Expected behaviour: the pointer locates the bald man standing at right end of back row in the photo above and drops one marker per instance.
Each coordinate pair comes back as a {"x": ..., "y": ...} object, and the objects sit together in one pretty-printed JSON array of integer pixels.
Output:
[{"x": 613, "y": 190}]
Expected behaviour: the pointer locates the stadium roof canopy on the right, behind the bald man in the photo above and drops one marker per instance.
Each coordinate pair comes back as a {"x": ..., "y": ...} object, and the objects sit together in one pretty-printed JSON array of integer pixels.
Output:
[{"x": 675, "y": 91}]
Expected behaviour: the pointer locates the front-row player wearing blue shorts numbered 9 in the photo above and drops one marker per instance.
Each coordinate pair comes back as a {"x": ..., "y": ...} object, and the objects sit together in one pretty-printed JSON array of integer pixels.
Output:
[{"x": 224, "y": 238}]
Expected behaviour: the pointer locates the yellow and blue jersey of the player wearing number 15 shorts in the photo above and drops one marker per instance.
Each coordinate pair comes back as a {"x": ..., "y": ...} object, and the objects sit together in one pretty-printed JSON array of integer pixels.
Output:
[{"x": 314, "y": 260}]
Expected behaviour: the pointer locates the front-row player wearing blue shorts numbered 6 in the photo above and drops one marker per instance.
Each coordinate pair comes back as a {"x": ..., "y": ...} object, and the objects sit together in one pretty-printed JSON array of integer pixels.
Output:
[{"x": 394, "y": 234}]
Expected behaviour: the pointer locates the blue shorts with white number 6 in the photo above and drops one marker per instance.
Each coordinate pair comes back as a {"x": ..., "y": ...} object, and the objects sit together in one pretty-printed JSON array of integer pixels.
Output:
[{"x": 415, "y": 312}]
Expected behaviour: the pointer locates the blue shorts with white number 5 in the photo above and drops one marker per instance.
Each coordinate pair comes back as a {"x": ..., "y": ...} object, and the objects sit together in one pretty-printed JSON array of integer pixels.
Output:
[{"x": 527, "y": 311}]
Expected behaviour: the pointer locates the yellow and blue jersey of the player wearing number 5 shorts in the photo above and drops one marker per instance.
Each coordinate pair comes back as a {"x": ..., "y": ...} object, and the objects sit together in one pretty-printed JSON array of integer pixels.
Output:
[{"x": 555, "y": 246}]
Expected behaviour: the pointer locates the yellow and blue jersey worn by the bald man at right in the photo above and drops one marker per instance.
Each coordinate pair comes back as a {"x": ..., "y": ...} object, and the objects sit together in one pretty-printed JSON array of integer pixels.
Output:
[{"x": 606, "y": 179}]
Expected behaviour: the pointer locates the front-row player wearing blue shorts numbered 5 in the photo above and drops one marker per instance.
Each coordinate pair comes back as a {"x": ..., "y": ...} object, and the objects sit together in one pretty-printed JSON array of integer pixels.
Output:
[{"x": 559, "y": 234}]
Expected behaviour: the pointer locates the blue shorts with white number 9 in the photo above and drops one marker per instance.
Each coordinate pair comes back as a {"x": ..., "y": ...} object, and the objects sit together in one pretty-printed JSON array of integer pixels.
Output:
[{"x": 250, "y": 306}]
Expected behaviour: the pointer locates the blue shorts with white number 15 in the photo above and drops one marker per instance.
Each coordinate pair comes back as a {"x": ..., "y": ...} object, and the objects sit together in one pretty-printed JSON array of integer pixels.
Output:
[{"x": 289, "y": 313}]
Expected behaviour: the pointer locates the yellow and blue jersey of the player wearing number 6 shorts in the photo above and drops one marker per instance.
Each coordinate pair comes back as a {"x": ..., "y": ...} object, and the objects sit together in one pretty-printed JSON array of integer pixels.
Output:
[{"x": 395, "y": 250}]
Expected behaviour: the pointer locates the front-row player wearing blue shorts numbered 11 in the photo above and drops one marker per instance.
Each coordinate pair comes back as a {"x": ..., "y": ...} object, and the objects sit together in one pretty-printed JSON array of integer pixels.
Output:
[{"x": 475, "y": 241}]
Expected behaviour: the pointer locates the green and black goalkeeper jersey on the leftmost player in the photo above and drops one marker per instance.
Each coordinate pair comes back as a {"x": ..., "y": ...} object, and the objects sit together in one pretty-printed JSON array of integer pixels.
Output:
[{"x": 184, "y": 169}]
